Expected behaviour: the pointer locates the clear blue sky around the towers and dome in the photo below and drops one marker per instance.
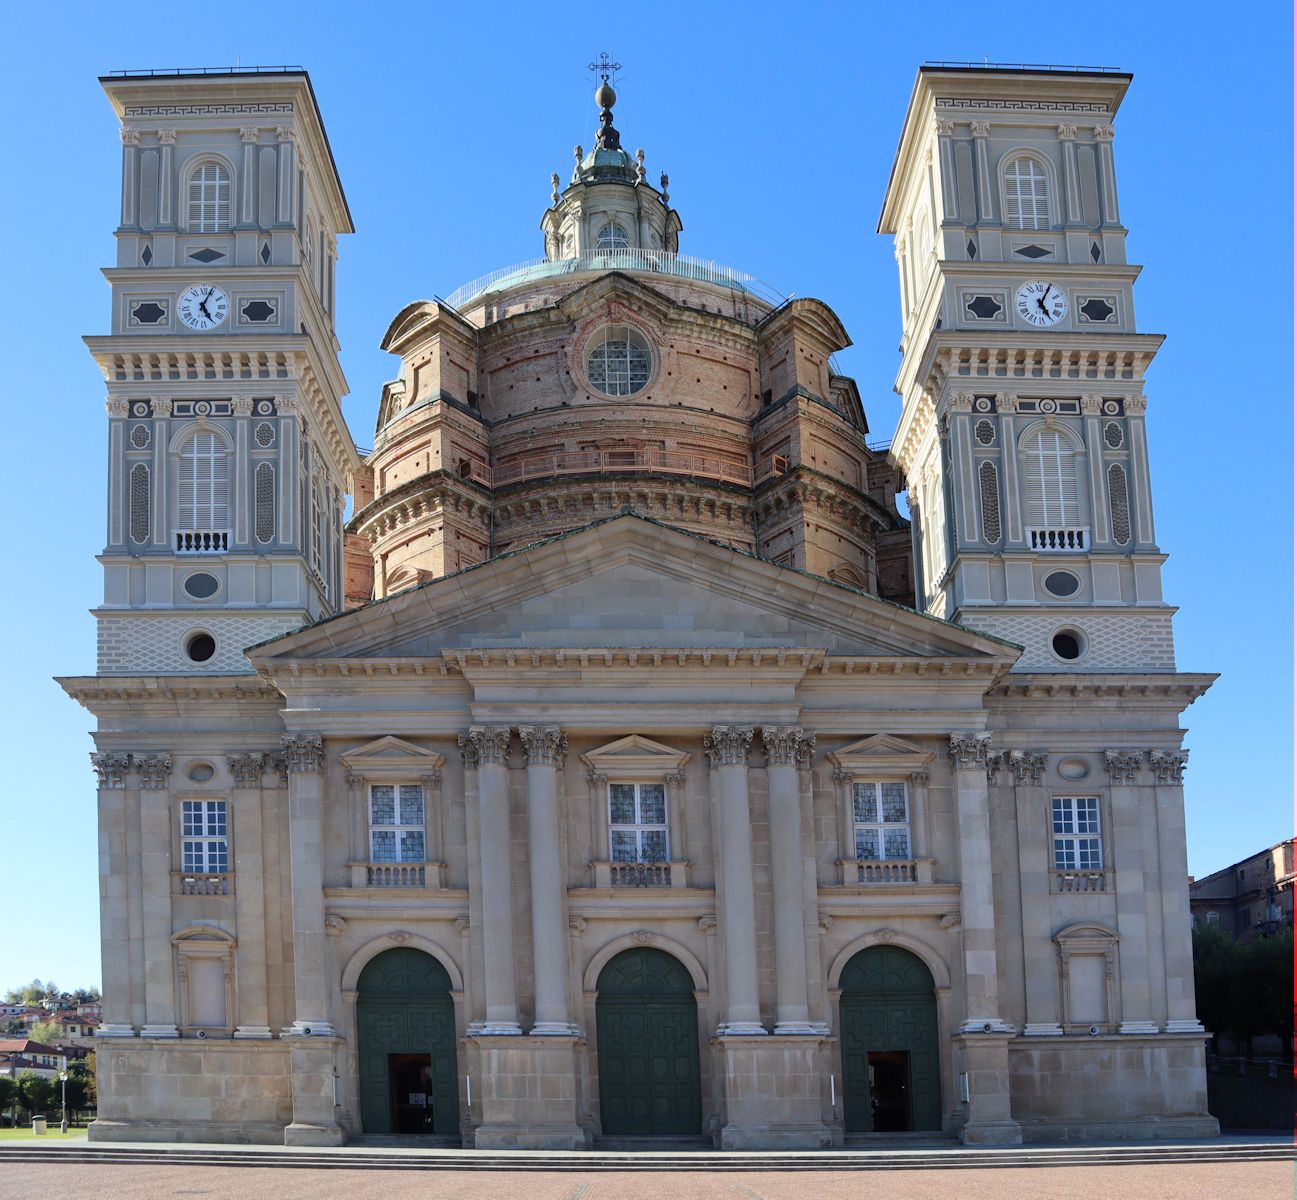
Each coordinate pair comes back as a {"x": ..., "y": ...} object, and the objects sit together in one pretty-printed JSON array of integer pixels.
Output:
[{"x": 778, "y": 125}]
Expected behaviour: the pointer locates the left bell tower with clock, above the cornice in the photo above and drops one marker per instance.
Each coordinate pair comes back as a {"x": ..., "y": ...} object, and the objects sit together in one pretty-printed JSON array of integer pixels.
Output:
[{"x": 229, "y": 457}]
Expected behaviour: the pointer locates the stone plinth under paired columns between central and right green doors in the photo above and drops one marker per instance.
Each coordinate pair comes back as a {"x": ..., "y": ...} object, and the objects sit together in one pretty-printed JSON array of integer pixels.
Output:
[{"x": 775, "y": 1093}]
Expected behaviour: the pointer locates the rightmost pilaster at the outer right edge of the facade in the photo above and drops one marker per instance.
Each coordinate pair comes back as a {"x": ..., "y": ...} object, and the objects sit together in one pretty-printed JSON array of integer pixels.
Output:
[{"x": 1177, "y": 939}]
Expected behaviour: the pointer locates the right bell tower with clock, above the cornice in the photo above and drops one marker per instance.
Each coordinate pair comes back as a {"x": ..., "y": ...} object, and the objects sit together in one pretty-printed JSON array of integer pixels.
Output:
[{"x": 1023, "y": 373}]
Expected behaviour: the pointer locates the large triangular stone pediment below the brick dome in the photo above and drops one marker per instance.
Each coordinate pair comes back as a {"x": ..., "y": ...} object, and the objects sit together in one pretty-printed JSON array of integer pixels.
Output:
[{"x": 631, "y": 583}]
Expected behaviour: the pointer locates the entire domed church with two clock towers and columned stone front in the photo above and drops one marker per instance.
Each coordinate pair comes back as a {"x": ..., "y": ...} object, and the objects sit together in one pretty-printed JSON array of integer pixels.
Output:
[{"x": 626, "y": 765}]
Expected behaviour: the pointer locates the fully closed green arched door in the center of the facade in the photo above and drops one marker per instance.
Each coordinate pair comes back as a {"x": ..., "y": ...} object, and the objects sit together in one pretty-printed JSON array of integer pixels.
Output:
[{"x": 647, "y": 1022}]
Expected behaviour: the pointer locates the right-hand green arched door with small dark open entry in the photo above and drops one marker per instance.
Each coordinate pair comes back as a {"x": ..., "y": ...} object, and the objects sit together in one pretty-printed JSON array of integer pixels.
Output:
[{"x": 890, "y": 1059}]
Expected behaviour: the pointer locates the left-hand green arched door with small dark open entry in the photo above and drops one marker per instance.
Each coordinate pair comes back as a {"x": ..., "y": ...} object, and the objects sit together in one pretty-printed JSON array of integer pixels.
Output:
[{"x": 405, "y": 1026}]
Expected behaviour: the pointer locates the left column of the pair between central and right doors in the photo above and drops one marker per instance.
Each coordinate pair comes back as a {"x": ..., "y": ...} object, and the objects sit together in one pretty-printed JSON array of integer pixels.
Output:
[{"x": 727, "y": 750}]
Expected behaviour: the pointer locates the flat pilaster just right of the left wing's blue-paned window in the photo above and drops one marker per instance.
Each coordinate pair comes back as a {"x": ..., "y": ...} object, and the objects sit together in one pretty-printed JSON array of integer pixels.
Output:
[{"x": 251, "y": 1003}]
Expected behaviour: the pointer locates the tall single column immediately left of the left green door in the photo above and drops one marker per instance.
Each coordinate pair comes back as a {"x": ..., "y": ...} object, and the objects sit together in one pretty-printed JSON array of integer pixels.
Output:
[{"x": 304, "y": 757}]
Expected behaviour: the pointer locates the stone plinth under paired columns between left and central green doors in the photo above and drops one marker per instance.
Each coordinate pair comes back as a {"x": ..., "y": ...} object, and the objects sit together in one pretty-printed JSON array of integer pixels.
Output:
[{"x": 526, "y": 1094}]
